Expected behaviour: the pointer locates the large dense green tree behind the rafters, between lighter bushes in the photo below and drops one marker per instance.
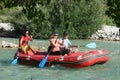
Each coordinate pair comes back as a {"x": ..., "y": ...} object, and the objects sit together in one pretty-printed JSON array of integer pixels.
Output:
[{"x": 79, "y": 17}]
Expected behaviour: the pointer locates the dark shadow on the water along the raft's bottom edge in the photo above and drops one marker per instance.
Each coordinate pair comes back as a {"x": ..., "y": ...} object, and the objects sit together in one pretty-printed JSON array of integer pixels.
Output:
[{"x": 61, "y": 68}]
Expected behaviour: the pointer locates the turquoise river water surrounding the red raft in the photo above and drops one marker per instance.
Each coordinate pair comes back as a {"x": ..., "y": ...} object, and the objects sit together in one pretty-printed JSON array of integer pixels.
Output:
[{"x": 108, "y": 71}]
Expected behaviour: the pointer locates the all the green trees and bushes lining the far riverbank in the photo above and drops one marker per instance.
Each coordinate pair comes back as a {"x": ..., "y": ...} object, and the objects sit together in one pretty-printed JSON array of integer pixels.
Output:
[{"x": 81, "y": 18}]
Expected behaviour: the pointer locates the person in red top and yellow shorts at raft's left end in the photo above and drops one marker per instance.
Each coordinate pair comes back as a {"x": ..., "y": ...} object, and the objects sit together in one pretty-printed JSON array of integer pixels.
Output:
[{"x": 23, "y": 43}]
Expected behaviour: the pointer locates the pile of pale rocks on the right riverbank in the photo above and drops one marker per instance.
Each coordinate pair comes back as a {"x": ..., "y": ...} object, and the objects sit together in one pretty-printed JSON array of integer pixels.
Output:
[{"x": 109, "y": 33}]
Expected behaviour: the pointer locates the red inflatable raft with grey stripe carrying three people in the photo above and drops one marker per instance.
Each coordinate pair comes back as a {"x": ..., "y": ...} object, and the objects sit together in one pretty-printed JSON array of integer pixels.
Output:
[{"x": 72, "y": 60}]
